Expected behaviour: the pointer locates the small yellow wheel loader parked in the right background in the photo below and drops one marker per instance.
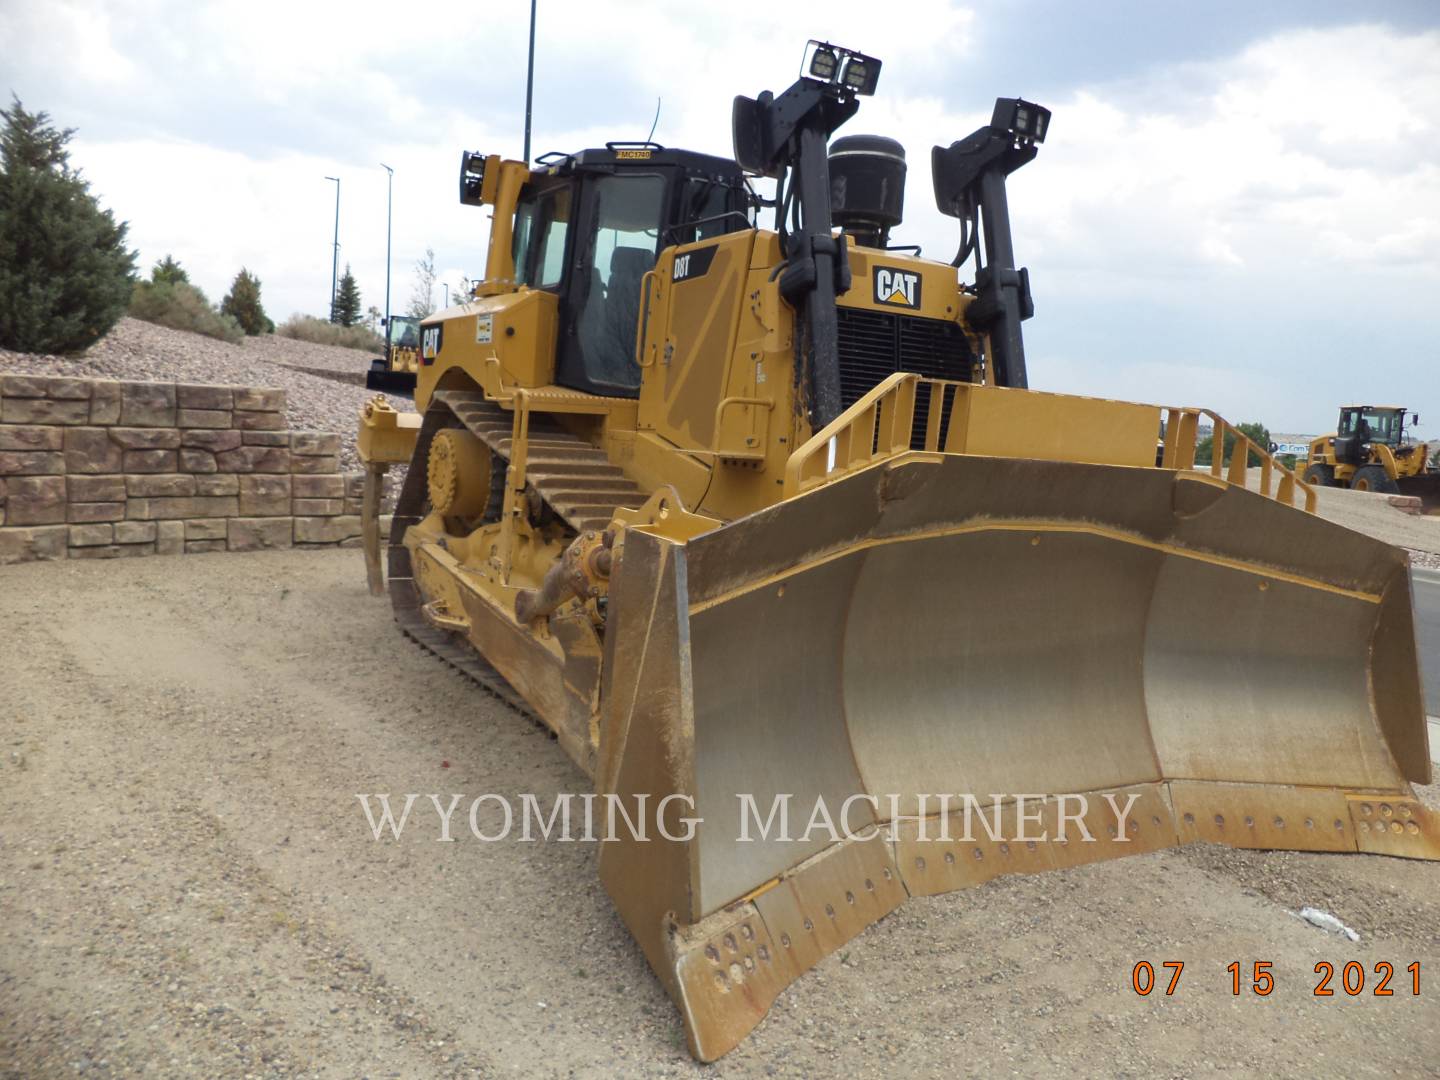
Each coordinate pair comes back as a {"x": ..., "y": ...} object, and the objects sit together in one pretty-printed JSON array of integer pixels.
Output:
[{"x": 1370, "y": 453}]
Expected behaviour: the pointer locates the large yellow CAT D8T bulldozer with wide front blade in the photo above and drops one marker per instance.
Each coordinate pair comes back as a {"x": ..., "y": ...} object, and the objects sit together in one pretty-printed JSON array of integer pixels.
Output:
[{"x": 770, "y": 519}]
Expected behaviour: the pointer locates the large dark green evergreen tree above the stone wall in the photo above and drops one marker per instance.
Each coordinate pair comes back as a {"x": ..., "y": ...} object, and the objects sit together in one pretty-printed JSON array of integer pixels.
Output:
[{"x": 66, "y": 271}]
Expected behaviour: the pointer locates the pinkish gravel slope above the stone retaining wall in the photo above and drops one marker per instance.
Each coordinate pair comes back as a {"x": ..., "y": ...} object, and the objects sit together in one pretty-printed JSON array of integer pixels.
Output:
[{"x": 143, "y": 351}]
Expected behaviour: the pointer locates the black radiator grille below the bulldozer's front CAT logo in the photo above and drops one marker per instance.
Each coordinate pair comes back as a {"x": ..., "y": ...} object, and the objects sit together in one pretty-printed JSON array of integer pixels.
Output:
[{"x": 875, "y": 345}]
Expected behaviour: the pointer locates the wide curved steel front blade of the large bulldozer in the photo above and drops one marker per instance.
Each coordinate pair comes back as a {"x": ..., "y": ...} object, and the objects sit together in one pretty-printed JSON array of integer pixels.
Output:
[{"x": 1025, "y": 633}]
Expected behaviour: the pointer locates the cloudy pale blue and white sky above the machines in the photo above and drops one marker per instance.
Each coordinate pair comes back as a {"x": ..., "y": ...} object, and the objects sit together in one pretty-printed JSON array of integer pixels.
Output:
[{"x": 1238, "y": 205}]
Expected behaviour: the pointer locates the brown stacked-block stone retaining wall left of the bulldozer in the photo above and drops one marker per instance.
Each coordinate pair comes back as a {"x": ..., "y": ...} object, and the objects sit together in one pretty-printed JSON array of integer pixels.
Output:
[{"x": 93, "y": 469}]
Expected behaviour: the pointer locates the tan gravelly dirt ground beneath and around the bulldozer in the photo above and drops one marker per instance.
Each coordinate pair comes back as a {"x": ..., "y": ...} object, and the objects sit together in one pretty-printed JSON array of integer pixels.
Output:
[{"x": 188, "y": 885}]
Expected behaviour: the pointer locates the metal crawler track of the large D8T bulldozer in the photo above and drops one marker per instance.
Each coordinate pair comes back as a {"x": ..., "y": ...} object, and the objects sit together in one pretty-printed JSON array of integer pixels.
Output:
[{"x": 574, "y": 479}]
